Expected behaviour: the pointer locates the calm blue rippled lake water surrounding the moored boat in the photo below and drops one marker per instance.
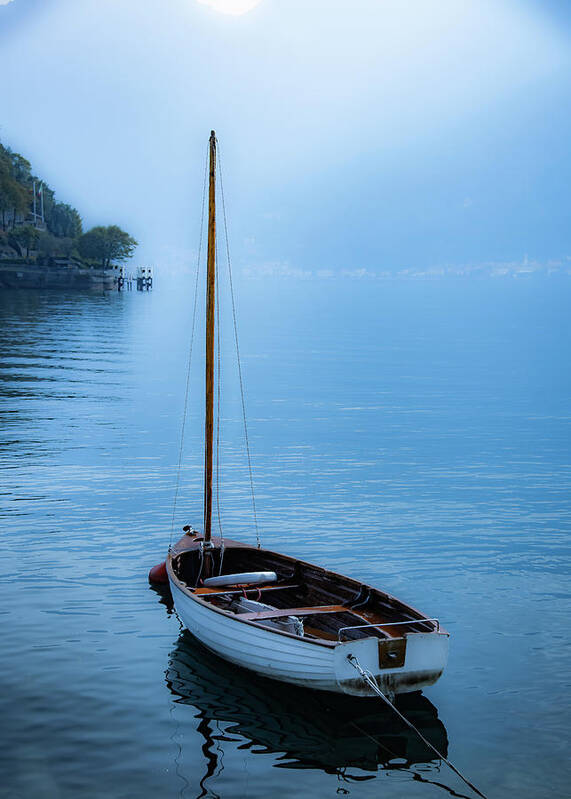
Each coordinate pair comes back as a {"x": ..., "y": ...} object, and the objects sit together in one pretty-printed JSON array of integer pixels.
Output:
[{"x": 413, "y": 434}]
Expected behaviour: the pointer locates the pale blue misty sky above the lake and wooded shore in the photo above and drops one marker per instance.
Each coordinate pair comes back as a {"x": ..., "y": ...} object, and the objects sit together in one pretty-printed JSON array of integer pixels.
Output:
[{"x": 376, "y": 134}]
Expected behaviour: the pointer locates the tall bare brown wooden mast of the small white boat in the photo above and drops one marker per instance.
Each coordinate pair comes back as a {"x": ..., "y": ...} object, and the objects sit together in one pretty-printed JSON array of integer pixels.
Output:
[{"x": 210, "y": 303}]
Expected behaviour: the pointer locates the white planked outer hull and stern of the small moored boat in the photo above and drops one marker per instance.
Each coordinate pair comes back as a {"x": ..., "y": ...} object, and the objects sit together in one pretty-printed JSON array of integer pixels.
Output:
[{"x": 306, "y": 662}]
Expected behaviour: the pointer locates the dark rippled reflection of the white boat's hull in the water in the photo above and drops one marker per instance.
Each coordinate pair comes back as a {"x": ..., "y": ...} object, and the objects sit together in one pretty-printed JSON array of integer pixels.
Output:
[{"x": 306, "y": 729}]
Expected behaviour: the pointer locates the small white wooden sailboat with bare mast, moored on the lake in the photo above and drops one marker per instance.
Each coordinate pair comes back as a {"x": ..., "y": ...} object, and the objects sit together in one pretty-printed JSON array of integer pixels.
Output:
[{"x": 282, "y": 617}]
